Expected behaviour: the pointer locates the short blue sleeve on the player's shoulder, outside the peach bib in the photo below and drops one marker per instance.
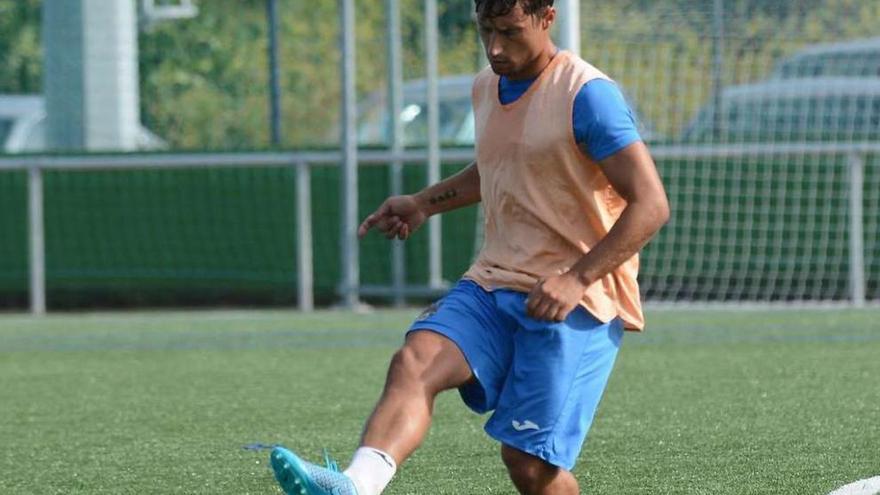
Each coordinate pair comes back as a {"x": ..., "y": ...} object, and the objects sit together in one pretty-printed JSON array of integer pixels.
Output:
[{"x": 603, "y": 122}]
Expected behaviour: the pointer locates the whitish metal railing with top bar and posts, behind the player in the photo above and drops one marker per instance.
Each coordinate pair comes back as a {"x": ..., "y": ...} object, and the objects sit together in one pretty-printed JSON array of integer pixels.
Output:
[{"x": 305, "y": 160}]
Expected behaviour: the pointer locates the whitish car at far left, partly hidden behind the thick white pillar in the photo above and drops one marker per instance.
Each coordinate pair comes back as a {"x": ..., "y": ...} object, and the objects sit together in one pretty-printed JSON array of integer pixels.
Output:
[{"x": 23, "y": 126}]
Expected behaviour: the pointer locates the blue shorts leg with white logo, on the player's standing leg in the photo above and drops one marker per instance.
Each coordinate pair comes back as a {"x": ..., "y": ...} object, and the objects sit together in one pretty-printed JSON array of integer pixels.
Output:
[{"x": 557, "y": 378}]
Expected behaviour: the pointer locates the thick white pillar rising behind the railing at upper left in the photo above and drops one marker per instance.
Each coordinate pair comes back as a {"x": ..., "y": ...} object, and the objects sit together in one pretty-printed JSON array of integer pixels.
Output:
[{"x": 91, "y": 80}]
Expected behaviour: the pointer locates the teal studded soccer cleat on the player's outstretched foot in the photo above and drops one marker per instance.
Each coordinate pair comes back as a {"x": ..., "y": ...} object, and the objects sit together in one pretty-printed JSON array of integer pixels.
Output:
[{"x": 298, "y": 477}]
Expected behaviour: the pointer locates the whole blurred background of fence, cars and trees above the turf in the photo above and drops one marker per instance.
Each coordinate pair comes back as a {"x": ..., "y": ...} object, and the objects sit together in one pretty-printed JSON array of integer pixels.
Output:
[{"x": 219, "y": 153}]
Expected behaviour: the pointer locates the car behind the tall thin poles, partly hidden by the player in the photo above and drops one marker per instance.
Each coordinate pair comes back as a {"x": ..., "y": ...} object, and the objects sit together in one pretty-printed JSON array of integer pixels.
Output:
[{"x": 456, "y": 115}]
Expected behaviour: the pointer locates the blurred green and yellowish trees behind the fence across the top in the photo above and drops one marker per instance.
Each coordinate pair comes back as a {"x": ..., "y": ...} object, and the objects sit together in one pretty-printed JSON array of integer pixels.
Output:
[{"x": 204, "y": 80}]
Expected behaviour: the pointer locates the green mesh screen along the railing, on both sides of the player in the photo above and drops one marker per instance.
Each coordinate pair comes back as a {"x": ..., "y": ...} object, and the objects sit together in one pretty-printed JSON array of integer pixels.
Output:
[{"x": 749, "y": 229}]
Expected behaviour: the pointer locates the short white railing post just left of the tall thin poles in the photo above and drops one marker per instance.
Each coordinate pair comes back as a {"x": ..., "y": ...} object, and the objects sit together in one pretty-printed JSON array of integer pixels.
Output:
[{"x": 304, "y": 259}]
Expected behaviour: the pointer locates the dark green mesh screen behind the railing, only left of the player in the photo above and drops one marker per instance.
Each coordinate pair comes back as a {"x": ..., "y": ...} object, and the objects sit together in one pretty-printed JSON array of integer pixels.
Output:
[{"x": 213, "y": 235}]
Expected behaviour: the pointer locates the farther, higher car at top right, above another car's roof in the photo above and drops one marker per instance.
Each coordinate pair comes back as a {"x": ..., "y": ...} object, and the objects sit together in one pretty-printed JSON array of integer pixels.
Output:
[{"x": 856, "y": 58}]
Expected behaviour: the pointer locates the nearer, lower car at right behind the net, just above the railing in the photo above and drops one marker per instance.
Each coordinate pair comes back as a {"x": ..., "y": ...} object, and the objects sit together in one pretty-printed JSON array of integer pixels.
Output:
[{"x": 786, "y": 110}]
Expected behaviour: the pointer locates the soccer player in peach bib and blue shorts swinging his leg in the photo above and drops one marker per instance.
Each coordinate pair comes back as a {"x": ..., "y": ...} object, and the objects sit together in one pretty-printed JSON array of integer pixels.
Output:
[{"x": 532, "y": 330}]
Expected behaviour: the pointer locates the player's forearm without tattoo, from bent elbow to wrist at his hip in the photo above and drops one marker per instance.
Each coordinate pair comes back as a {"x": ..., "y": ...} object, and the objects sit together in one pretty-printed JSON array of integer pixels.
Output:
[{"x": 636, "y": 226}]
